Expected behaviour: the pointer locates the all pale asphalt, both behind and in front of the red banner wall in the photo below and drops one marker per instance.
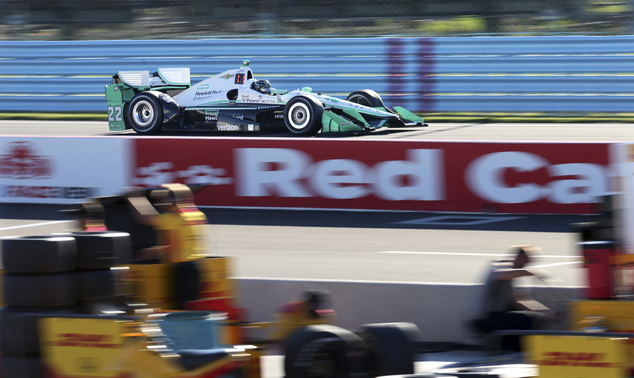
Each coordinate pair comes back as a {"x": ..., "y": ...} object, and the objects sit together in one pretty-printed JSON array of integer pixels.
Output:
[{"x": 365, "y": 246}]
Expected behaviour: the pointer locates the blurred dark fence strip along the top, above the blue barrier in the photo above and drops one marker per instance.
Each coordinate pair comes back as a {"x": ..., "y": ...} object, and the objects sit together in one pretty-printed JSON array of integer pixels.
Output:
[{"x": 148, "y": 19}]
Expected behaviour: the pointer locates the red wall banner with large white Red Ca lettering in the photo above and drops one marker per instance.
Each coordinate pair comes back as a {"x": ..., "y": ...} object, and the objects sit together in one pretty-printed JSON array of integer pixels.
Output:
[{"x": 380, "y": 175}]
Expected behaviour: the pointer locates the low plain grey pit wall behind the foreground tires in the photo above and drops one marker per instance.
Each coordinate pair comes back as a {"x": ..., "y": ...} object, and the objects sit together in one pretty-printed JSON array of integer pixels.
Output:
[{"x": 441, "y": 311}]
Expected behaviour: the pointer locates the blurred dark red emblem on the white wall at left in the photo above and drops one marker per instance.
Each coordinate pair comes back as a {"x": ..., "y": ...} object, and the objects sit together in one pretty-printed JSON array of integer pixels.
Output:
[{"x": 20, "y": 160}]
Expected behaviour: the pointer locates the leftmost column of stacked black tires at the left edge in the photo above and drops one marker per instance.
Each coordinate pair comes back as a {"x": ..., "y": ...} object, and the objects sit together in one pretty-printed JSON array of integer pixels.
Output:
[{"x": 39, "y": 281}]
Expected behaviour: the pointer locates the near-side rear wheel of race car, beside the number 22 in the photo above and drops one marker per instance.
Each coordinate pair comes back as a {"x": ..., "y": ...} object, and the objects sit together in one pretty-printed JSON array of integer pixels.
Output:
[{"x": 145, "y": 114}]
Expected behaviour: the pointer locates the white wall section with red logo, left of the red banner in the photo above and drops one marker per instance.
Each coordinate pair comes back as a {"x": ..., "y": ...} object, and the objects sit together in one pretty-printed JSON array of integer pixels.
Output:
[{"x": 63, "y": 170}]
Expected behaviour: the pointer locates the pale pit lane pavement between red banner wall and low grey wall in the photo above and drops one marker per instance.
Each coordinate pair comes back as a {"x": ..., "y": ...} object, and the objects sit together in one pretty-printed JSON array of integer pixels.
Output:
[{"x": 373, "y": 246}]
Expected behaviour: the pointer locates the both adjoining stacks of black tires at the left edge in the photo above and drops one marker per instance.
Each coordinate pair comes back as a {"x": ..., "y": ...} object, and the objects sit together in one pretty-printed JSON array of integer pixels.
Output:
[{"x": 49, "y": 276}]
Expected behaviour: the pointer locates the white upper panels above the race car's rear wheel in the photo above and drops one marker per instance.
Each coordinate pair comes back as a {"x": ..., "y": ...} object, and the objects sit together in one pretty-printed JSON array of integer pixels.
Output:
[{"x": 161, "y": 78}]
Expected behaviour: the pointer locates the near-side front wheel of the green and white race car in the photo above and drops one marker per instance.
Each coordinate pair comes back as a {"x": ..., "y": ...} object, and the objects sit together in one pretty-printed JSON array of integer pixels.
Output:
[{"x": 302, "y": 115}]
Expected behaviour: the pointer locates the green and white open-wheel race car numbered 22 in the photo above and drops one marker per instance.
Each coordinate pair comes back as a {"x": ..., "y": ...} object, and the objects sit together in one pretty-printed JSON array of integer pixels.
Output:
[{"x": 236, "y": 101}]
